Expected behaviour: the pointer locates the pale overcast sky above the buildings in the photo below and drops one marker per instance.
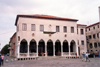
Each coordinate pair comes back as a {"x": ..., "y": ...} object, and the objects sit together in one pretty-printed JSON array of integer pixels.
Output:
[{"x": 86, "y": 11}]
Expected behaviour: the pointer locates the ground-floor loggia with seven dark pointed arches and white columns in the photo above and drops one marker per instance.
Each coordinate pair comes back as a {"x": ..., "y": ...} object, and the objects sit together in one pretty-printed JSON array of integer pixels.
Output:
[{"x": 49, "y": 48}]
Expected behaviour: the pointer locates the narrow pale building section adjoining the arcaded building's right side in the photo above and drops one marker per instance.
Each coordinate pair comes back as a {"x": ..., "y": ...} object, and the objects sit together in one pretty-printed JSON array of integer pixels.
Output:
[{"x": 81, "y": 38}]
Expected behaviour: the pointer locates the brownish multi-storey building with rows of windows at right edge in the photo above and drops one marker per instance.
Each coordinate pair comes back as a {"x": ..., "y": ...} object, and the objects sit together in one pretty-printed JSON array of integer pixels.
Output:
[{"x": 93, "y": 37}]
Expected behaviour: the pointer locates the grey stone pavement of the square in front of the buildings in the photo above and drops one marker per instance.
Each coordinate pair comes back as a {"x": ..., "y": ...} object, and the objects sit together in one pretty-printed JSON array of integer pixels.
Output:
[{"x": 53, "y": 62}]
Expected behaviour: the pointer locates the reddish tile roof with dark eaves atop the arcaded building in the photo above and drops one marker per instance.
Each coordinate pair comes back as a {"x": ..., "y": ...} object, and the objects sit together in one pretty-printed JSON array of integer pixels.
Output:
[{"x": 45, "y": 17}]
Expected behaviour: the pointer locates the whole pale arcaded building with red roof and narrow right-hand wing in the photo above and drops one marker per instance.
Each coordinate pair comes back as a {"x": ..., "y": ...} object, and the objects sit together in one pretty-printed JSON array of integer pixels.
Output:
[{"x": 44, "y": 35}]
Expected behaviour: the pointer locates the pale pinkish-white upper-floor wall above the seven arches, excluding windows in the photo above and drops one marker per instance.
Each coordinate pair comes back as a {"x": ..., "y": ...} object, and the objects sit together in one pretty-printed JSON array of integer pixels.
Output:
[{"x": 40, "y": 35}]
